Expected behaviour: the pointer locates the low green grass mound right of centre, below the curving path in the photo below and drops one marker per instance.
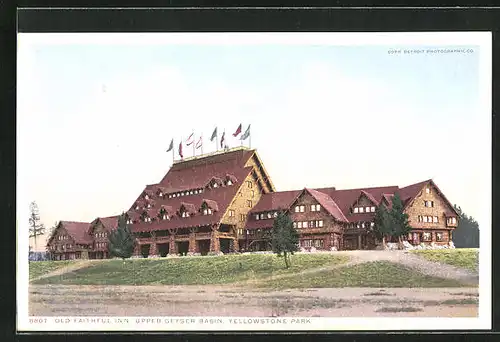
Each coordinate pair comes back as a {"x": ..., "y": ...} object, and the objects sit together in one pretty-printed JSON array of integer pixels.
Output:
[{"x": 370, "y": 274}]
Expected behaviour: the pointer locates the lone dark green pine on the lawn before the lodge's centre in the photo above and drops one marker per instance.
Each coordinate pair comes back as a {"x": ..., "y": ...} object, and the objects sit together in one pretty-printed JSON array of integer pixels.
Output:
[{"x": 284, "y": 237}]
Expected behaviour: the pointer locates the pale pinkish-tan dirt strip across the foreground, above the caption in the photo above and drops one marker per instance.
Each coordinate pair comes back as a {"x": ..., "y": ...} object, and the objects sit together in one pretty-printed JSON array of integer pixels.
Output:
[{"x": 208, "y": 300}]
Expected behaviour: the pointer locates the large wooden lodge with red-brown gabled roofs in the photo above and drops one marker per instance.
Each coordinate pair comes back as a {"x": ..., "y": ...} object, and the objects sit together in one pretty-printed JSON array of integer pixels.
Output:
[{"x": 226, "y": 202}]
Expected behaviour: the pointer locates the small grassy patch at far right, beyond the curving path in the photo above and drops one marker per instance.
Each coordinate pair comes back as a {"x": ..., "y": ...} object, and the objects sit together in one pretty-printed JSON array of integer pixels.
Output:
[{"x": 460, "y": 257}]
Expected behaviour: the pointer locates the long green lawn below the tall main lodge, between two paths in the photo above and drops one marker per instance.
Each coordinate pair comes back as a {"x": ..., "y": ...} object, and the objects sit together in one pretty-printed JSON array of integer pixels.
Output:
[{"x": 194, "y": 271}]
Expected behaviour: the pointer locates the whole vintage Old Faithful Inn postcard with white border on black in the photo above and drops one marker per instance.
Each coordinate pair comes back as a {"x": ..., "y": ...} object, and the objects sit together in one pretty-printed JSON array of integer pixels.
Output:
[{"x": 253, "y": 181}]
